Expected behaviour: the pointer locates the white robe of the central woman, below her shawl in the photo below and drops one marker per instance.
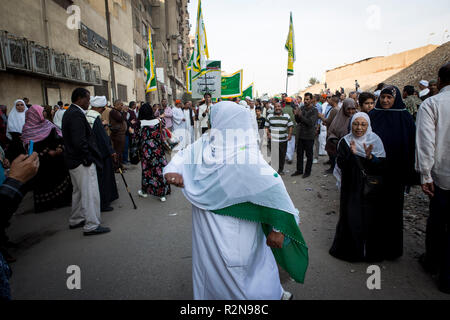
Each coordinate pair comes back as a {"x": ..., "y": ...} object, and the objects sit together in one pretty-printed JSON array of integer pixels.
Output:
[{"x": 230, "y": 259}]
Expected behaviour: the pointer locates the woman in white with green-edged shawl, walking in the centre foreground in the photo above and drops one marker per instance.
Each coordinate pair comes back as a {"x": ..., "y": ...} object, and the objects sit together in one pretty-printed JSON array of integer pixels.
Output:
[{"x": 240, "y": 210}]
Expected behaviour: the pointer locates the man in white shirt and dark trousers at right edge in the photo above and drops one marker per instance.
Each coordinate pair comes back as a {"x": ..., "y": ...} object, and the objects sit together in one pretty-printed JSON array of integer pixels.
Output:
[{"x": 433, "y": 163}]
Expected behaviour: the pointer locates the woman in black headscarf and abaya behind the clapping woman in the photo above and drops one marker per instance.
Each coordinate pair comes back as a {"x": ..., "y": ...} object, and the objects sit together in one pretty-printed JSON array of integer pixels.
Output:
[{"x": 396, "y": 128}]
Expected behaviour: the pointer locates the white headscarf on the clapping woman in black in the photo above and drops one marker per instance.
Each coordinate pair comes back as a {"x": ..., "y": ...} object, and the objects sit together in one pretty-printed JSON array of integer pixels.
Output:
[{"x": 369, "y": 138}]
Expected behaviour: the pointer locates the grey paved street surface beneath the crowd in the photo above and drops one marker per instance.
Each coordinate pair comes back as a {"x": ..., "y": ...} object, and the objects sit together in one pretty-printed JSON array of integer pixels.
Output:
[{"x": 148, "y": 253}]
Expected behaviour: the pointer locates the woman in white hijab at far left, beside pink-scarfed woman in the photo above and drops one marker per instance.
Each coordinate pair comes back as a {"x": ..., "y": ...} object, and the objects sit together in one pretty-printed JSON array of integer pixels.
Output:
[{"x": 16, "y": 121}]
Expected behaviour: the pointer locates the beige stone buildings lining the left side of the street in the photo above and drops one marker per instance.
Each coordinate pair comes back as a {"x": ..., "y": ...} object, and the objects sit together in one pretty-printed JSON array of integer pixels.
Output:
[{"x": 44, "y": 57}]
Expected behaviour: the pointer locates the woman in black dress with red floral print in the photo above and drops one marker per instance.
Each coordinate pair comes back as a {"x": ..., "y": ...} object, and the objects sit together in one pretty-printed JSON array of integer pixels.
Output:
[{"x": 153, "y": 158}]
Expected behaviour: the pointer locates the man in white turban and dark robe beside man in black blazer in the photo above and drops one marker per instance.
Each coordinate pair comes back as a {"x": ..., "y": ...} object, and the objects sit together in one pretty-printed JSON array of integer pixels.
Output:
[{"x": 105, "y": 175}]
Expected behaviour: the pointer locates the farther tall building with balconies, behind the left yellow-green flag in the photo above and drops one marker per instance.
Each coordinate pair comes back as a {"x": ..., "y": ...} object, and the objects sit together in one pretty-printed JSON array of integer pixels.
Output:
[{"x": 168, "y": 21}]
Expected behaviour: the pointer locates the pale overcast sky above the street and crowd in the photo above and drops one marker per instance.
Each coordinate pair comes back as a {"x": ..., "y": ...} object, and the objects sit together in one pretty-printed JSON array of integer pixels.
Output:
[{"x": 251, "y": 34}]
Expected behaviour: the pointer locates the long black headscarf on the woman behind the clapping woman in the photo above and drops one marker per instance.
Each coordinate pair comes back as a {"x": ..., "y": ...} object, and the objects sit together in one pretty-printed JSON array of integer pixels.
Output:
[{"x": 397, "y": 130}]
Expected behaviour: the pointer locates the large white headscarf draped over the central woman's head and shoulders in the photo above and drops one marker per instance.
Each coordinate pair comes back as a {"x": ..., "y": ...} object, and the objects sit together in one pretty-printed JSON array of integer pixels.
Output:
[{"x": 214, "y": 175}]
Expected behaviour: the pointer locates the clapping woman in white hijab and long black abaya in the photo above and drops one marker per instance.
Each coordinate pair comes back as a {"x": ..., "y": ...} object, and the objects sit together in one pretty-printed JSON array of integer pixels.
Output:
[{"x": 361, "y": 160}]
